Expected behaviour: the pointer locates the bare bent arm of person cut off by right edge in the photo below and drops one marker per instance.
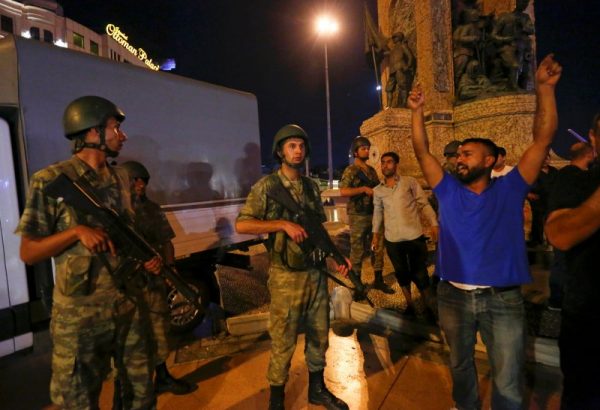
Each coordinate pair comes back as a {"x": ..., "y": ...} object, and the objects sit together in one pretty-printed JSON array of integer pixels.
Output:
[{"x": 566, "y": 228}]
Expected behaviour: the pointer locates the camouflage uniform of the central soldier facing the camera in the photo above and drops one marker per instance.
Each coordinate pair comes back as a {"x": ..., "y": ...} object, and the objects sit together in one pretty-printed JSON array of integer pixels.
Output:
[{"x": 298, "y": 288}]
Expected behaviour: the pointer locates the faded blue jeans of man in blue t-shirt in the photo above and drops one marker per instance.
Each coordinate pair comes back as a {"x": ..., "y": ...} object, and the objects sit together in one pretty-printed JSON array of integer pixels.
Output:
[{"x": 500, "y": 318}]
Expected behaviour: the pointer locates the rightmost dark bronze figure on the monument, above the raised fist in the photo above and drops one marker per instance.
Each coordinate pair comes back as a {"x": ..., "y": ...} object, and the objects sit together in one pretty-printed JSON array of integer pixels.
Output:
[{"x": 512, "y": 33}]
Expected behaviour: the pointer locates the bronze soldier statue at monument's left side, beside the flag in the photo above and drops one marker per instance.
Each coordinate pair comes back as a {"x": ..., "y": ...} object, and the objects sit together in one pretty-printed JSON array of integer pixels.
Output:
[{"x": 402, "y": 66}]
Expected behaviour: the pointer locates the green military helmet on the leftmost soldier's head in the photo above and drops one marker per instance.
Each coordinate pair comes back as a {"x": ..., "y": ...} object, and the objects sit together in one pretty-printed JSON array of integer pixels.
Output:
[{"x": 89, "y": 112}]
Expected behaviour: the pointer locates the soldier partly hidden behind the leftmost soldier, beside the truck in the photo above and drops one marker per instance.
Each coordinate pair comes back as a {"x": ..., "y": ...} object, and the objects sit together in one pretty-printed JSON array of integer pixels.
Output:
[{"x": 152, "y": 224}]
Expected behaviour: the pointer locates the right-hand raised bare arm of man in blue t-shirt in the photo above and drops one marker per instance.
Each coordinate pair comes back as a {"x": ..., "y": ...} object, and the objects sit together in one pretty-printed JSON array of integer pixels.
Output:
[{"x": 545, "y": 121}]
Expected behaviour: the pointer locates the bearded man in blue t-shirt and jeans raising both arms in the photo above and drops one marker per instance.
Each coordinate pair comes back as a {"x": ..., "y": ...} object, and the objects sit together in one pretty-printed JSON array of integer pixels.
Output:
[{"x": 481, "y": 255}]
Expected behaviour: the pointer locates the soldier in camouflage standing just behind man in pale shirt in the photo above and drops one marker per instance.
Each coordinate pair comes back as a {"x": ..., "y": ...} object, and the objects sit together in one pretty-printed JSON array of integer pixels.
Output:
[{"x": 358, "y": 181}]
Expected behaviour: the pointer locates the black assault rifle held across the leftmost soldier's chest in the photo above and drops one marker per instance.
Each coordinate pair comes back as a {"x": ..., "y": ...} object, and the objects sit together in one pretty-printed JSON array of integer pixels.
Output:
[{"x": 80, "y": 195}]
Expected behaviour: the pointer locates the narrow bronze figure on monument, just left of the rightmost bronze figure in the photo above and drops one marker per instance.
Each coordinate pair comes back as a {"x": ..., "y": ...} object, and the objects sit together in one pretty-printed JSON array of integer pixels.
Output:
[{"x": 467, "y": 38}]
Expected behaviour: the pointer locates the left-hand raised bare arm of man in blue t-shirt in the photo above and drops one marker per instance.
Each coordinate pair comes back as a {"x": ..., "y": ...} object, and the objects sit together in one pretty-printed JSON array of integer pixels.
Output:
[{"x": 432, "y": 170}]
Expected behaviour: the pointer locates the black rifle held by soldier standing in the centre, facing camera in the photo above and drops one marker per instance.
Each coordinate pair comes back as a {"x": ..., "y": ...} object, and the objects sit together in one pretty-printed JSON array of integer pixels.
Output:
[{"x": 317, "y": 235}]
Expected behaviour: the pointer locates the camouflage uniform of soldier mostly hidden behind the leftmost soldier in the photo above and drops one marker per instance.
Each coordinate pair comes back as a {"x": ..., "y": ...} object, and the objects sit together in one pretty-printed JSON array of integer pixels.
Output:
[{"x": 152, "y": 224}]
